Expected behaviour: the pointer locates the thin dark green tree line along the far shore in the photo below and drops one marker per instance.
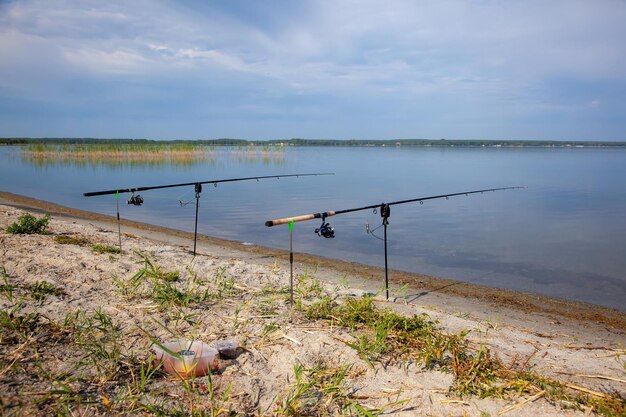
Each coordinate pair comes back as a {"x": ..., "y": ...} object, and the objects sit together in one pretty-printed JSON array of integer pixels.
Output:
[{"x": 327, "y": 142}]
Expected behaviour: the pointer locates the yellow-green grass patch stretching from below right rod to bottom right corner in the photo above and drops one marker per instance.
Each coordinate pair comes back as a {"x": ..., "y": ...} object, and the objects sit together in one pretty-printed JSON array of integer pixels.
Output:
[{"x": 383, "y": 336}]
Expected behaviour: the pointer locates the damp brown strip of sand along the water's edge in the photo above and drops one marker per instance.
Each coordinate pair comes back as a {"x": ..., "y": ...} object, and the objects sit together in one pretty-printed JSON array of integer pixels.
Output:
[{"x": 418, "y": 286}]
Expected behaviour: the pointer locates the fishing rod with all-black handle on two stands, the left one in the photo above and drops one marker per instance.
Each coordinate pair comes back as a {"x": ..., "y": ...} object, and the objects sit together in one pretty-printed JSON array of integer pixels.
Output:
[{"x": 137, "y": 200}]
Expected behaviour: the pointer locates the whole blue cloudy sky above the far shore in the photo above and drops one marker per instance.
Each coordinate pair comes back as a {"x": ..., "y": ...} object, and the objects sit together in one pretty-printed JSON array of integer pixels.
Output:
[{"x": 341, "y": 69}]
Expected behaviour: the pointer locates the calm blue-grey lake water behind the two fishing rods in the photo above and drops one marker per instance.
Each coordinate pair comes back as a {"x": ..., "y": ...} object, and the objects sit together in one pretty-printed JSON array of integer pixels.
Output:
[{"x": 564, "y": 236}]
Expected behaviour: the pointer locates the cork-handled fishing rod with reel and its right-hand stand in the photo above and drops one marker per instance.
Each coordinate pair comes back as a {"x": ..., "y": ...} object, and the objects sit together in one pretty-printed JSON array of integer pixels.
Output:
[{"x": 328, "y": 232}]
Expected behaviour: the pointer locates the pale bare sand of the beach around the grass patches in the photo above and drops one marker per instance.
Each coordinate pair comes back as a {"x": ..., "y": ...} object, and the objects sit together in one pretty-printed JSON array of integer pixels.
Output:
[{"x": 574, "y": 343}]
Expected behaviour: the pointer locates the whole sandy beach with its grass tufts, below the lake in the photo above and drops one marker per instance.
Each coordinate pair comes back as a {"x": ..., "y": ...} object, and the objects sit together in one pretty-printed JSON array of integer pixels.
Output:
[{"x": 82, "y": 346}]
